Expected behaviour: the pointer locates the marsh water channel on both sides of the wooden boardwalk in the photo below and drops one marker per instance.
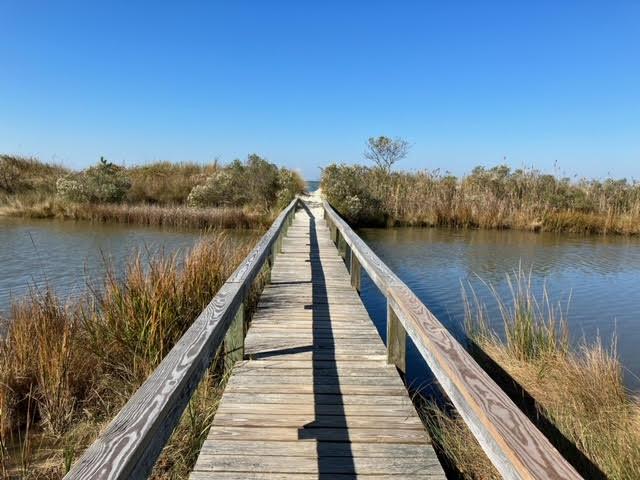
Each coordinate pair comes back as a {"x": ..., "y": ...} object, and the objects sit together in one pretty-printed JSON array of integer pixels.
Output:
[{"x": 594, "y": 279}]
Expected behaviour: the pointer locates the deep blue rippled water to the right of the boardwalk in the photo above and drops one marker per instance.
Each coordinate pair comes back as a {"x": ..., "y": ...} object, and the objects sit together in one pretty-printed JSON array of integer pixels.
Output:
[{"x": 596, "y": 278}]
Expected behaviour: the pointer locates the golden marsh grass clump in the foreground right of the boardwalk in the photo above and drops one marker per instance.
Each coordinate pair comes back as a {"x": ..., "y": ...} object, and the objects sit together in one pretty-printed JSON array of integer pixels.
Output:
[{"x": 576, "y": 396}]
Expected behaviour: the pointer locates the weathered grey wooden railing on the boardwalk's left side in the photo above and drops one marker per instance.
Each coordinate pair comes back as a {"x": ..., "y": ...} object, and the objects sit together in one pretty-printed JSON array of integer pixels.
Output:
[{"x": 131, "y": 444}]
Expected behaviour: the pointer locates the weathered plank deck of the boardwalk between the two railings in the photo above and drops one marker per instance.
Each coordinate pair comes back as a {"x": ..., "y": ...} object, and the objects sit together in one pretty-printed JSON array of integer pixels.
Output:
[{"x": 316, "y": 398}]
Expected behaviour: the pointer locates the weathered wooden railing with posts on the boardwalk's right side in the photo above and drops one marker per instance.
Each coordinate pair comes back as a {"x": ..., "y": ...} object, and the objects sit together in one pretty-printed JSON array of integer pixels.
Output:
[{"x": 514, "y": 445}]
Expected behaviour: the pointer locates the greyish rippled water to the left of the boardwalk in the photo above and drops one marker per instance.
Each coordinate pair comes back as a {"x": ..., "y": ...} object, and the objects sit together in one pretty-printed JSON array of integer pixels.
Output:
[{"x": 67, "y": 254}]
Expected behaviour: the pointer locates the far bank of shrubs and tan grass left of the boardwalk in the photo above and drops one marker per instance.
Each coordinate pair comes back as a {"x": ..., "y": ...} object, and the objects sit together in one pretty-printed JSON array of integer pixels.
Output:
[{"x": 236, "y": 195}]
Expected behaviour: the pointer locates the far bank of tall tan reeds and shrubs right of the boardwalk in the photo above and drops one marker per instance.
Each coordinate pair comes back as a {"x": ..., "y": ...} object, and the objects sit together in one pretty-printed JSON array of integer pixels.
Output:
[{"x": 485, "y": 198}]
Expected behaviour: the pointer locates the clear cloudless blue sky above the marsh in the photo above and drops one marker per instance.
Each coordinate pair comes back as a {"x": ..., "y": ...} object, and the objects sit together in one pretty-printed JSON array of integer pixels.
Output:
[{"x": 305, "y": 83}]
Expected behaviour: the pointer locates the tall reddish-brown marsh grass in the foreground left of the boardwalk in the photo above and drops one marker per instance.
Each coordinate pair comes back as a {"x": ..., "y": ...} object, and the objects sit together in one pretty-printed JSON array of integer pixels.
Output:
[{"x": 66, "y": 369}]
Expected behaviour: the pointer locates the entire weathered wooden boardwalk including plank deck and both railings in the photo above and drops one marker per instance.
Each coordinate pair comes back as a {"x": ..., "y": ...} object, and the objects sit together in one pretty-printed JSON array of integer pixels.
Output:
[{"x": 315, "y": 396}]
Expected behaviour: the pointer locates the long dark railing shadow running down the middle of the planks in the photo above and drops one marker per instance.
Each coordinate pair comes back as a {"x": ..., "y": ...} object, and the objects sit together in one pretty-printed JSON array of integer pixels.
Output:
[{"x": 333, "y": 456}]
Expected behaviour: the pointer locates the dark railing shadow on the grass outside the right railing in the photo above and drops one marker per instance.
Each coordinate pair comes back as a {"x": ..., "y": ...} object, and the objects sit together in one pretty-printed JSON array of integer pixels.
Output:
[{"x": 527, "y": 403}]
